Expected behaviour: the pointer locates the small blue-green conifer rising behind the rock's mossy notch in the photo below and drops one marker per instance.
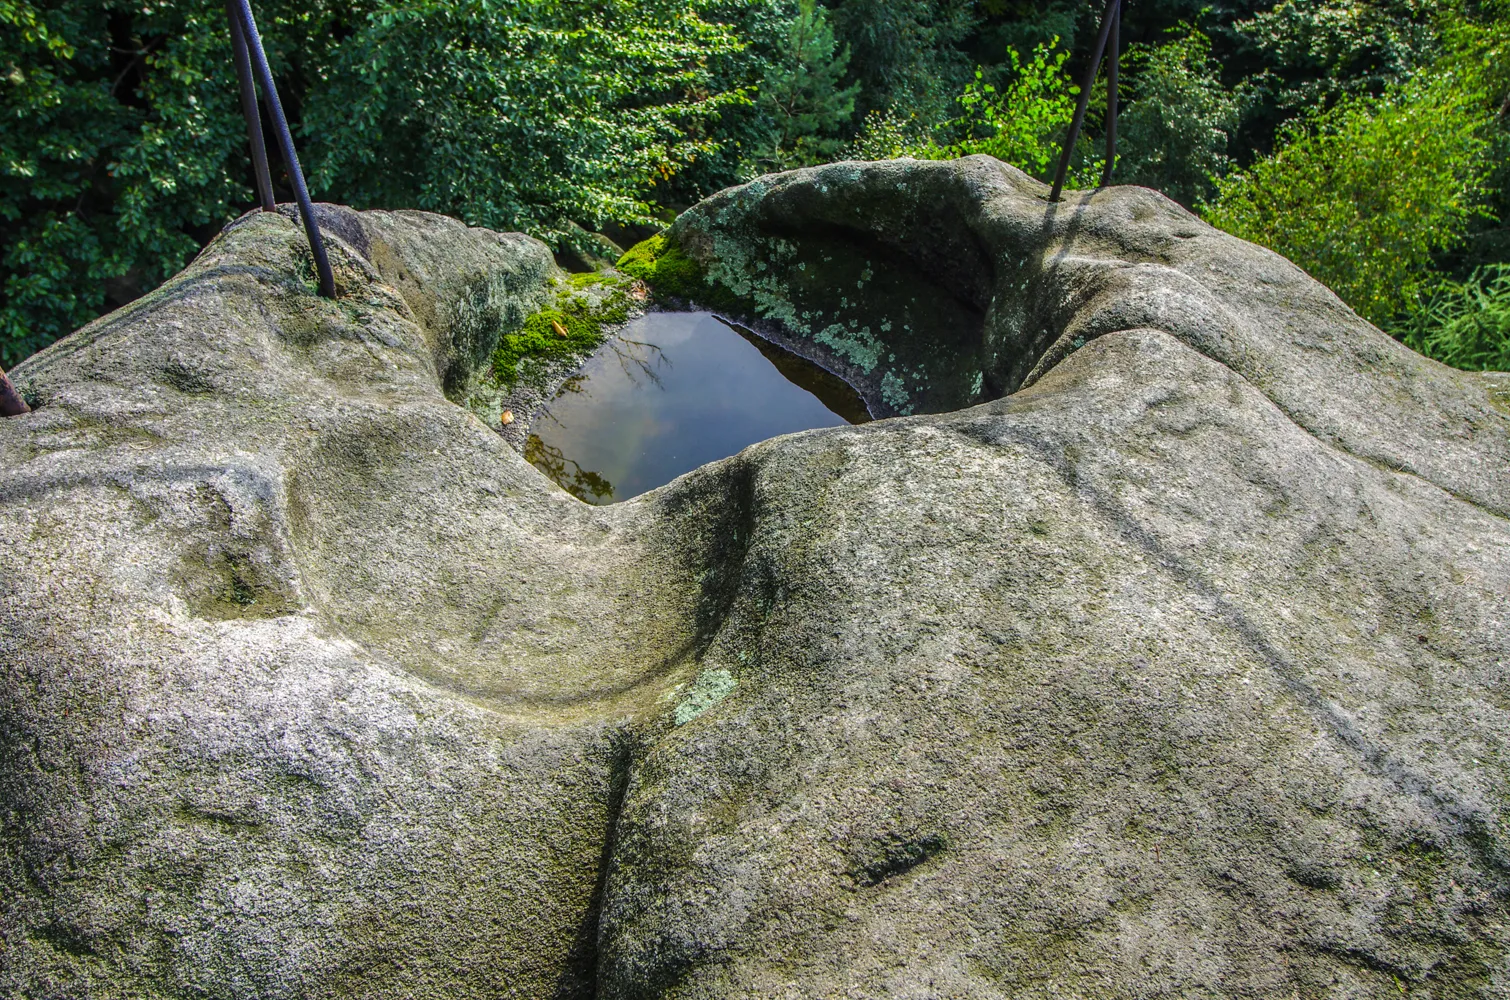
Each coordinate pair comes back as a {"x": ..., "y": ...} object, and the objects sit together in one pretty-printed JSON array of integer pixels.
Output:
[{"x": 803, "y": 94}]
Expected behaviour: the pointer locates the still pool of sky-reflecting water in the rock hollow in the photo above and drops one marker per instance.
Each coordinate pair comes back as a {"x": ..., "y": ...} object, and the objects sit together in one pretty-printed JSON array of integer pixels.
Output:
[{"x": 674, "y": 392}]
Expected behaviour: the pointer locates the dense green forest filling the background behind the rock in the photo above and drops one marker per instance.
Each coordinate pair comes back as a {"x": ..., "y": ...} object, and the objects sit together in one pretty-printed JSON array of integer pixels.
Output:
[{"x": 1366, "y": 140}]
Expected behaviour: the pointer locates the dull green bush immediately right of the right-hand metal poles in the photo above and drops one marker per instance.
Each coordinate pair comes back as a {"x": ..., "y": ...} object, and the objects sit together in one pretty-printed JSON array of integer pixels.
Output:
[{"x": 1176, "y": 132}]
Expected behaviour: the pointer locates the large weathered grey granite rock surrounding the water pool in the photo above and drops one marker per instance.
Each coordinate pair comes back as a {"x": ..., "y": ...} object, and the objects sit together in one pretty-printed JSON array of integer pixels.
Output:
[{"x": 1182, "y": 670}]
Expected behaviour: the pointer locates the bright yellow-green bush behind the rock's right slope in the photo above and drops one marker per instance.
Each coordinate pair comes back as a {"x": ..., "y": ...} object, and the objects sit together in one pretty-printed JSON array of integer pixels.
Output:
[{"x": 1366, "y": 194}]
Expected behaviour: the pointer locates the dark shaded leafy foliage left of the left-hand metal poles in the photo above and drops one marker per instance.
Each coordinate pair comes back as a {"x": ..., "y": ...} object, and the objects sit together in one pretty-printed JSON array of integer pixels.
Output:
[{"x": 114, "y": 158}]
